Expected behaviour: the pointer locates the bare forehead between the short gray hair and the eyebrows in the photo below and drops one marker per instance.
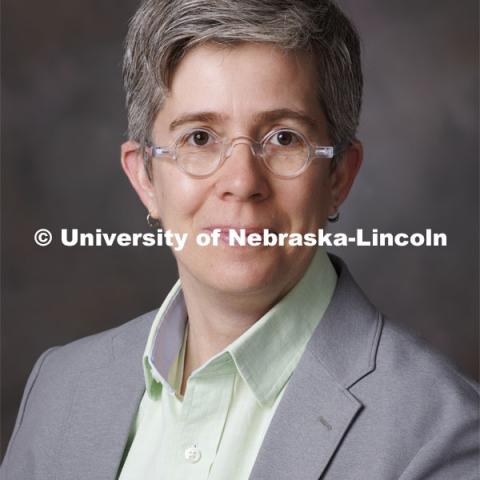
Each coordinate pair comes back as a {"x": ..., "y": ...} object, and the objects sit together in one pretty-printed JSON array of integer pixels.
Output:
[{"x": 241, "y": 82}]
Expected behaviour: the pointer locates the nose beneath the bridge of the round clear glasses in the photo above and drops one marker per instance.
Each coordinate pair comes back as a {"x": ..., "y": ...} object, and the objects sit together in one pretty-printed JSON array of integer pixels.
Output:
[{"x": 243, "y": 176}]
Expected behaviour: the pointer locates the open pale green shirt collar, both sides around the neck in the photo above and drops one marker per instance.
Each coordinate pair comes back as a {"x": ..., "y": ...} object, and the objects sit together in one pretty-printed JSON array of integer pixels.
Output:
[{"x": 274, "y": 344}]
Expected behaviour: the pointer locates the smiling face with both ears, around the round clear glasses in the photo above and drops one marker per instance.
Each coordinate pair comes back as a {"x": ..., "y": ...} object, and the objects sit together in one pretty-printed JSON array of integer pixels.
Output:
[{"x": 245, "y": 90}]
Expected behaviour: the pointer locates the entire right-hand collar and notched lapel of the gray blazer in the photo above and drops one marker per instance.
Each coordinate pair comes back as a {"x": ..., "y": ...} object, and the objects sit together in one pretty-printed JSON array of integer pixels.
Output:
[{"x": 317, "y": 408}]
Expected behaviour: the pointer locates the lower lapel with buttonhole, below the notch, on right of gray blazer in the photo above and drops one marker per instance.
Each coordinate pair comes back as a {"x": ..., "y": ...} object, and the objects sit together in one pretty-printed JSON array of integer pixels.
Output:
[{"x": 307, "y": 427}]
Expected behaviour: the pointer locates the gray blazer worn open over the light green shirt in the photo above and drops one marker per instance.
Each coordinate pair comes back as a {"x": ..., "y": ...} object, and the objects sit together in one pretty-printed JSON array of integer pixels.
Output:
[{"x": 366, "y": 402}]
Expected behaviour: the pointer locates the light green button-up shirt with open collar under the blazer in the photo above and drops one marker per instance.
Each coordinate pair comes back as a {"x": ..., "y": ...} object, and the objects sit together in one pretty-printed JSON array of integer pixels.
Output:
[{"x": 215, "y": 430}]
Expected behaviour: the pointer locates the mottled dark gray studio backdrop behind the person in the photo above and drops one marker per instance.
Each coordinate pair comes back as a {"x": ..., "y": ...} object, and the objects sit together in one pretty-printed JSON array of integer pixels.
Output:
[{"x": 63, "y": 122}]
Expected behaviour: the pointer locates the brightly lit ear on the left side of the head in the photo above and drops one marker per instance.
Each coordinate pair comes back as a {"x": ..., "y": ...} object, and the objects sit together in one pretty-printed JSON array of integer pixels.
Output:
[{"x": 134, "y": 167}]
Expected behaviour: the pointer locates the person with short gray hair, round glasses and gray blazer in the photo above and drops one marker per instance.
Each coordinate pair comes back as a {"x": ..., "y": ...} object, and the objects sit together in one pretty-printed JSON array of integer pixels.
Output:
[{"x": 263, "y": 362}]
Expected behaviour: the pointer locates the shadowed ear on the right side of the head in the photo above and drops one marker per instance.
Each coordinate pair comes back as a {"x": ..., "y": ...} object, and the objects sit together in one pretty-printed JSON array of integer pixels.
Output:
[{"x": 345, "y": 173}]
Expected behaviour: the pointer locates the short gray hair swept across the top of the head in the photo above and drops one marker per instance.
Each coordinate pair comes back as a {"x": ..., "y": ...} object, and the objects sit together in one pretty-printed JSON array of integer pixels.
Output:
[{"x": 162, "y": 31}]
